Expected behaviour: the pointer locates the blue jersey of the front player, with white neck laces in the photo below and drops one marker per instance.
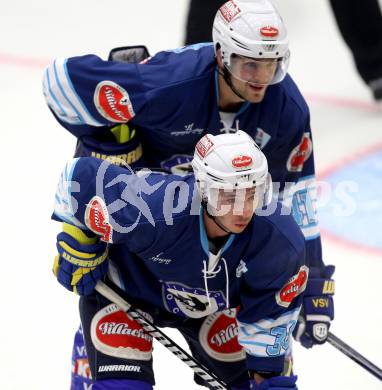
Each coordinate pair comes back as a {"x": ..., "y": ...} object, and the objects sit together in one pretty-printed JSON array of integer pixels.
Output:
[{"x": 161, "y": 255}]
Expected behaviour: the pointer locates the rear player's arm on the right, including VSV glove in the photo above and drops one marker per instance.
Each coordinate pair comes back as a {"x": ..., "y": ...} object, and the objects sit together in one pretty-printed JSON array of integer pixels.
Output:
[{"x": 299, "y": 194}]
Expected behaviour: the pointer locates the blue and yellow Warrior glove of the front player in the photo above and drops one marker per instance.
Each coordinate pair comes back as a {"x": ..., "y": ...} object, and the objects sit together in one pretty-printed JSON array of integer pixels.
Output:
[{"x": 81, "y": 261}]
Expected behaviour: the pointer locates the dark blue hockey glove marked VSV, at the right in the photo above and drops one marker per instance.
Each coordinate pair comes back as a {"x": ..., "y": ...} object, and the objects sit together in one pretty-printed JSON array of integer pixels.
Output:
[{"x": 318, "y": 308}]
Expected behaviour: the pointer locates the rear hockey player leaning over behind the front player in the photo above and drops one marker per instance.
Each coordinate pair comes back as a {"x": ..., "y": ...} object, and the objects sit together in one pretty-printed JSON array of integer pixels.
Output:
[{"x": 162, "y": 107}]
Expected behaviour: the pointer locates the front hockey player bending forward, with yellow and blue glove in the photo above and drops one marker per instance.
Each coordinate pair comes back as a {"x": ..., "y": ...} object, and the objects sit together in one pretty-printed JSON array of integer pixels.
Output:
[{"x": 182, "y": 263}]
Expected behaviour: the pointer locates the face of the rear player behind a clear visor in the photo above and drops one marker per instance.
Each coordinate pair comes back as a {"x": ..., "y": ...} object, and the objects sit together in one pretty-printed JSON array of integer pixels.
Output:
[{"x": 251, "y": 77}]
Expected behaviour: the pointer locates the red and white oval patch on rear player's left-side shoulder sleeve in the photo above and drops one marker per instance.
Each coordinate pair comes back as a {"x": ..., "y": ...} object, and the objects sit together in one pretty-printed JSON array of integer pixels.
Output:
[{"x": 113, "y": 102}]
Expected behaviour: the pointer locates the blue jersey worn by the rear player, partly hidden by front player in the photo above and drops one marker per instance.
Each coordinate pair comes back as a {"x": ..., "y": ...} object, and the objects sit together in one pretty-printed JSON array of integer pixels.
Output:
[{"x": 171, "y": 101}]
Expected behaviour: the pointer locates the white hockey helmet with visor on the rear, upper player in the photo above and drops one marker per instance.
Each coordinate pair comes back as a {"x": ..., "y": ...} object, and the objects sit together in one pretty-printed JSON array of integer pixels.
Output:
[{"x": 251, "y": 29}]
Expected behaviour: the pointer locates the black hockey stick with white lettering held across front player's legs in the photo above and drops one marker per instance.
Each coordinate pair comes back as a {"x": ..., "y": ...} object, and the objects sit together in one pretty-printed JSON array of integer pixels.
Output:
[{"x": 154, "y": 331}]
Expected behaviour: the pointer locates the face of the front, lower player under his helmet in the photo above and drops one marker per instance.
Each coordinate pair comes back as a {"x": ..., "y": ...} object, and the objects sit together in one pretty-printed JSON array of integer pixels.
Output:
[{"x": 236, "y": 208}]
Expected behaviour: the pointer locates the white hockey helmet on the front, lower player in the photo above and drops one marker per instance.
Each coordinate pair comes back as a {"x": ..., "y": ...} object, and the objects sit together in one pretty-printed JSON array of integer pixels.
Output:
[{"x": 230, "y": 162}]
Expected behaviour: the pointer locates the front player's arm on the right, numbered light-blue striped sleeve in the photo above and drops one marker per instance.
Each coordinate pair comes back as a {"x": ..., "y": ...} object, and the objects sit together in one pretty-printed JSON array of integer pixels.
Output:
[{"x": 270, "y": 303}]
